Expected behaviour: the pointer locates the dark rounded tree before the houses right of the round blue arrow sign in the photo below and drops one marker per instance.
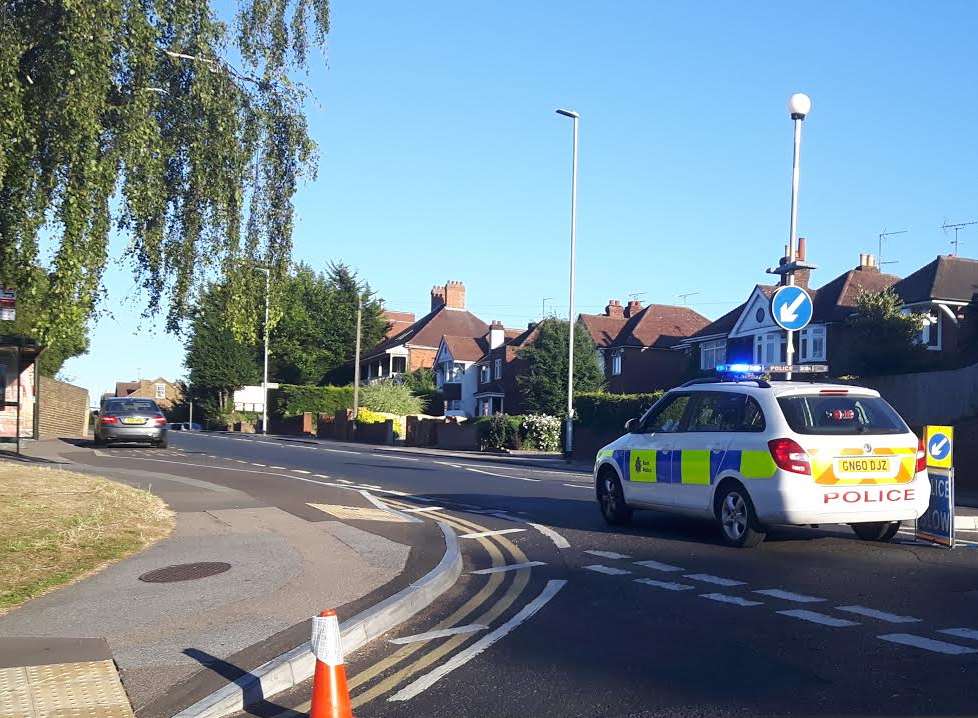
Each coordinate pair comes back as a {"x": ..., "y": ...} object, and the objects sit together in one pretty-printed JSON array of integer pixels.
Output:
[{"x": 883, "y": 338}]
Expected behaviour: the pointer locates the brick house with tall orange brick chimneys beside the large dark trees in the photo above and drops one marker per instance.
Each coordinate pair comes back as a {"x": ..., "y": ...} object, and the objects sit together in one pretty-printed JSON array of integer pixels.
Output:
[{"x": 416, "y": 344}]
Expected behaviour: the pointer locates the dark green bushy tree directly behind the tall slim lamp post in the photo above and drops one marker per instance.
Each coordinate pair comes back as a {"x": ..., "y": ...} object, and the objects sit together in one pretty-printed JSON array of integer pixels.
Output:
[{"x": 544, "y": 385}]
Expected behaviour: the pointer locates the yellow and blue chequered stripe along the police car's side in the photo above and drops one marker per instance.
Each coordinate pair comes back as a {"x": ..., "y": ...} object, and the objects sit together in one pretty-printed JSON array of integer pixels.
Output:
[{"x": 690, "y": 466}]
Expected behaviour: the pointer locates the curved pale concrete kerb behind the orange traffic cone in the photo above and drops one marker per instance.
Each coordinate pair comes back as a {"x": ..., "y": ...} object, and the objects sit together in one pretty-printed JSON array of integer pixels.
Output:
[{"x": 295, "y": 666}]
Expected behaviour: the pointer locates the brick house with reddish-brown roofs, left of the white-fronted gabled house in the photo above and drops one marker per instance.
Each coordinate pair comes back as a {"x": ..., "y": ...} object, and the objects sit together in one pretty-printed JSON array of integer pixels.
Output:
[{"x": 636, "y": 345}]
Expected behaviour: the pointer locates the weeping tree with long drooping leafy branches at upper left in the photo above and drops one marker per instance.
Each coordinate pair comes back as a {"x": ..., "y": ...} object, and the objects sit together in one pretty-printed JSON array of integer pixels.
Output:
[{"x": 125, "y": 114}]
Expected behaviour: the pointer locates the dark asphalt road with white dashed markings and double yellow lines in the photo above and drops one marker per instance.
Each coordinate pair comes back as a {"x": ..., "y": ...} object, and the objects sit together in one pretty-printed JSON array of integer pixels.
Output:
[{"x": 656, "y": 619}]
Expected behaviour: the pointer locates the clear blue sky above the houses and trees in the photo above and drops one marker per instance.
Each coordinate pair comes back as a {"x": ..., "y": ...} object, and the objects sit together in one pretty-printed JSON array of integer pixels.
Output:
[{"x": 442, "y": 158}]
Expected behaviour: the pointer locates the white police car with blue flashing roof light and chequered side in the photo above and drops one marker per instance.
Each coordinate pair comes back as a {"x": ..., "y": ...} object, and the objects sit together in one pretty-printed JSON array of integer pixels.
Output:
[{"x": 750, "y": 453}]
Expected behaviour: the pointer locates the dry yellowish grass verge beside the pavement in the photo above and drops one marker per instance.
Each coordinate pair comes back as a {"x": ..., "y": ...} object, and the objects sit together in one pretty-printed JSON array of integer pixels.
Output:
[{"x": 57, "y": 526}]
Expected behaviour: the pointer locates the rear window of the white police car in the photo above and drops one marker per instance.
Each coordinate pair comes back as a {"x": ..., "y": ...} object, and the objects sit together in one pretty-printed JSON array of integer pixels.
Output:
[{"x": 840, "y": 415}]
